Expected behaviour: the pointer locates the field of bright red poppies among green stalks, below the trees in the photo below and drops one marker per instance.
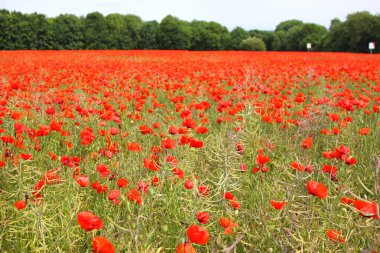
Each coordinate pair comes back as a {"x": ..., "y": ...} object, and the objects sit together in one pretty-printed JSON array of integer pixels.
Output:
[{"x": 176, "y": 151}]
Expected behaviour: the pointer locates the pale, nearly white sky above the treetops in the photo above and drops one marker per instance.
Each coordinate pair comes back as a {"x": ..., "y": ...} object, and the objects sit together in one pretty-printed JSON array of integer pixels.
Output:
[{"x": 248, "y": 14}]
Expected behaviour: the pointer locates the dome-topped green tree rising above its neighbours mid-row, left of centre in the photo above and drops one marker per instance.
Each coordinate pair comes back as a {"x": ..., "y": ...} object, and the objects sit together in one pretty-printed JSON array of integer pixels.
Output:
[{"x": 174, "y": 34}]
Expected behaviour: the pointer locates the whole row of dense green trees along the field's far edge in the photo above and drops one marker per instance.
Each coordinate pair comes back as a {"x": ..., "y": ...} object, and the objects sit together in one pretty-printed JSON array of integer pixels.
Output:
[{"x": 117, "y": 31}]
